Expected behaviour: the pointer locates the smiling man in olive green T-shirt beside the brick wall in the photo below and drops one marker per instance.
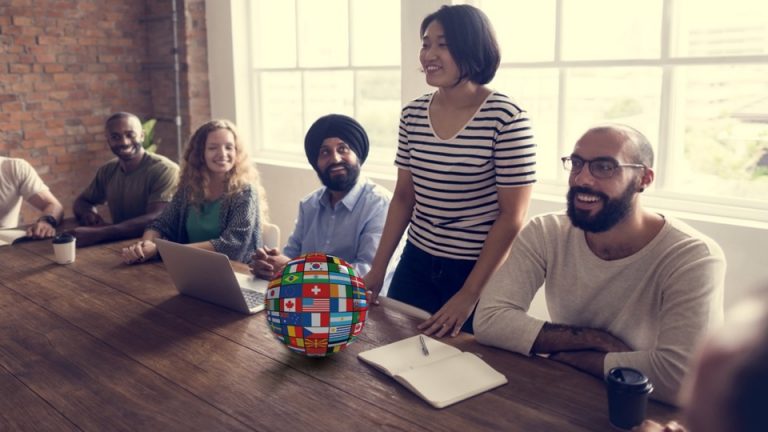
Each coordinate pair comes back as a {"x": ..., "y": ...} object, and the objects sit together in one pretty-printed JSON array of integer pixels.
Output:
[{"x": 136, "y": 186}]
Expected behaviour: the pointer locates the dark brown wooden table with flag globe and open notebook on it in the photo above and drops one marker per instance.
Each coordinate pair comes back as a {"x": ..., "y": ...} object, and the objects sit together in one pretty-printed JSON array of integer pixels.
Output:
[{"x": 98, "y": 345}]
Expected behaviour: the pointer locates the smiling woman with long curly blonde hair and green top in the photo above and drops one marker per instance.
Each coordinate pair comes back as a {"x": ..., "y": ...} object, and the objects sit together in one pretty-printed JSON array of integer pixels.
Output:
[{"x": 219, "y": 204}]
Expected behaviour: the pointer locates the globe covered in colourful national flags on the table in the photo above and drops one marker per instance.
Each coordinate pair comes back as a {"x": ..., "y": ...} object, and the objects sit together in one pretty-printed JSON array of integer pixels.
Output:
[{"x": 317, "y": 306}]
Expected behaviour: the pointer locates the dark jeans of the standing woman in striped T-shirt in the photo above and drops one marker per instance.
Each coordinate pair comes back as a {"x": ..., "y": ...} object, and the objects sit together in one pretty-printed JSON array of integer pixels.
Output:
[{"x": 427, "y": 281}]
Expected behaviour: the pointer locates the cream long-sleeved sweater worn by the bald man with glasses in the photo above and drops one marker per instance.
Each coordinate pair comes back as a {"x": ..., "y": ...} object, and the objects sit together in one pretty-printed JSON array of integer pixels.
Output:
[{"x": 659, "y": 301}]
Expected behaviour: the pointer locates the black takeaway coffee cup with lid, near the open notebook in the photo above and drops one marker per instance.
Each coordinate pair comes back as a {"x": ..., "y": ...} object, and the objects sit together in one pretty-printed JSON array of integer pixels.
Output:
[{"x": 628, "y": 391}]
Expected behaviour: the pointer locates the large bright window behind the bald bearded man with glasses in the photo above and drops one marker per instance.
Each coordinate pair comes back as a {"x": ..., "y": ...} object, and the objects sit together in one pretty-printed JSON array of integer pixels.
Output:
[{"x": 692, "y": 75}]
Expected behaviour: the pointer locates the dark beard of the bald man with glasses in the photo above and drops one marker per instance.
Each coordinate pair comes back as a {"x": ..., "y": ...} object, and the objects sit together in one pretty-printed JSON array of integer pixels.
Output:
[{"x": 613, "y": 211}]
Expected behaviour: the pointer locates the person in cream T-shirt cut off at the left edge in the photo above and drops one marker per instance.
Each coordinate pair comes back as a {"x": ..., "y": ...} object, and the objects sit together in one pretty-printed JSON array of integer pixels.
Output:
[{"x": 20, "y": 182}]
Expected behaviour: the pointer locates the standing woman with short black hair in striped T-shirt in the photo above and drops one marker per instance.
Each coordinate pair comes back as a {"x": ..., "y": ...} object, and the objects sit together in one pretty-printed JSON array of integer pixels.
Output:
[{"x": 466, "y": 167}]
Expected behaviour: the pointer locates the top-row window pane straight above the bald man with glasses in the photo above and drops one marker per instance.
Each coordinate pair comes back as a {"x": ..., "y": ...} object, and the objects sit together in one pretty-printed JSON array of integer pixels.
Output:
[{"x": 610, "y": 29}]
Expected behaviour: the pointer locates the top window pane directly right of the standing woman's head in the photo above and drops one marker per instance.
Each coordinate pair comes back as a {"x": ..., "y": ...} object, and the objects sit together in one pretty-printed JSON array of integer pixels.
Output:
[{"x": 525, "y": 29}]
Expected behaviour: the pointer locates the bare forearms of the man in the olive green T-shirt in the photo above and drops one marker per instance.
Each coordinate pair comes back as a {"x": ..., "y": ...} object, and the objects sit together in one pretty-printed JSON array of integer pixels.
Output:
[{"x": 98, "y": 232}]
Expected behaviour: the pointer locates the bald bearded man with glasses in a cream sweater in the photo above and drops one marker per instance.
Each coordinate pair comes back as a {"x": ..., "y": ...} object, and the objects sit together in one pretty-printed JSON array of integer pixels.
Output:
[{"x": 625, "y": 286}]
